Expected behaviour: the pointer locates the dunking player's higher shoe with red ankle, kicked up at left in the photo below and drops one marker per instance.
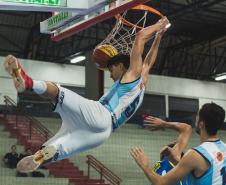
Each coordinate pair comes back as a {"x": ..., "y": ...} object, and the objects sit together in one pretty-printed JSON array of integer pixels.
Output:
[{"x": 22, "y": 82}]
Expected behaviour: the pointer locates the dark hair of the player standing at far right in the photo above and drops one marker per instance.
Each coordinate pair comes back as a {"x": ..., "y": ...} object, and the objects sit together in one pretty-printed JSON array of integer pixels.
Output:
[{"x": 213, "y": 117}]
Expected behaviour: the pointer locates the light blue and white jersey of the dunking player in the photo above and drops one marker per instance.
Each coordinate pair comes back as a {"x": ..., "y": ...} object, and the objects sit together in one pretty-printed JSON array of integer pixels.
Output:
[{"x": 123, "y": 100}]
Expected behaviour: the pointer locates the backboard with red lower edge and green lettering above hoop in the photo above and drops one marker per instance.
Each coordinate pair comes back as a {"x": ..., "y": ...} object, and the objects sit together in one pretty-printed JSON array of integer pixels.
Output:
[{"x": 64, "y": 24}]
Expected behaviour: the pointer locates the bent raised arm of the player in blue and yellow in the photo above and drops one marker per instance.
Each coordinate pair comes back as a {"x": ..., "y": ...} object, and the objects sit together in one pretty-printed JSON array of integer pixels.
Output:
[{"x": 183, "y": 129}]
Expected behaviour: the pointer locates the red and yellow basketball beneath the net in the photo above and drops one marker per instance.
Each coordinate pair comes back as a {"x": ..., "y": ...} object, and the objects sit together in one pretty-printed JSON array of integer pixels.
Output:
[{"x": 102, "y": 54}]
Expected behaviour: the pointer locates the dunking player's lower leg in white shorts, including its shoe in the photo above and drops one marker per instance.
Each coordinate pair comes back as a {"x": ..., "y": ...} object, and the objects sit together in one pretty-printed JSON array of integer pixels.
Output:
[{"x": 63, "y": 145}]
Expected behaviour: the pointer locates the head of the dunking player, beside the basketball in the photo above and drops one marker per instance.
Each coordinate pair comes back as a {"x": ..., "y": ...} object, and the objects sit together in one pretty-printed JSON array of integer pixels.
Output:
[{"x": 118, "y": 65}]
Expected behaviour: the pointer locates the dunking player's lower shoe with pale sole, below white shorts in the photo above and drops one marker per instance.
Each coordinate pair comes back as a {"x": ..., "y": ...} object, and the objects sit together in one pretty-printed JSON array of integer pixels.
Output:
[{"x": 31, "y": 163}]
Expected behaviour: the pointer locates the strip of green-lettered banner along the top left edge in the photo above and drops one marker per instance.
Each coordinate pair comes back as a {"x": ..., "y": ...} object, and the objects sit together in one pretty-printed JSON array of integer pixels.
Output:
[{"x": 36, "y": 2}]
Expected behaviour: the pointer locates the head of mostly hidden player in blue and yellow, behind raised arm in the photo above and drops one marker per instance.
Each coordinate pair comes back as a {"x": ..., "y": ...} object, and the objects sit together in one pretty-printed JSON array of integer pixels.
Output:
[{"x": 166, "y": 152}]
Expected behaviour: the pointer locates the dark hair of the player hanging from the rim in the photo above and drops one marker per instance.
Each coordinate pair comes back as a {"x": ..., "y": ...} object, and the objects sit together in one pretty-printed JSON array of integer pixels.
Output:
[{"x": 124, "y": 59}]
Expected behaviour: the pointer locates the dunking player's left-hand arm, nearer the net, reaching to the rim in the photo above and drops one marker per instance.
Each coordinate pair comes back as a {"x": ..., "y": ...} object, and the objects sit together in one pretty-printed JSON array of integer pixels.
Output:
[{"x": 136, "y": 62}]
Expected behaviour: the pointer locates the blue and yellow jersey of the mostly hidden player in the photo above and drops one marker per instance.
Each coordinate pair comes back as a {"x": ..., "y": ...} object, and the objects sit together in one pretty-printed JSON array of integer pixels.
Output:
[{"x": 164, "y": 166}]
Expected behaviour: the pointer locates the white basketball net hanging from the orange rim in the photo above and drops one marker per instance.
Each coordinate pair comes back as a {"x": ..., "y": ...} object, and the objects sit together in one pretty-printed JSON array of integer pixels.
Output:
[{"x": 122, "y": 36}]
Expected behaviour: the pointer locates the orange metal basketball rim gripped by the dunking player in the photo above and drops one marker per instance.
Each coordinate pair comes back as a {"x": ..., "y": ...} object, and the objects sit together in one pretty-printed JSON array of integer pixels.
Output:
[{"x": 139, "y": 7}]
